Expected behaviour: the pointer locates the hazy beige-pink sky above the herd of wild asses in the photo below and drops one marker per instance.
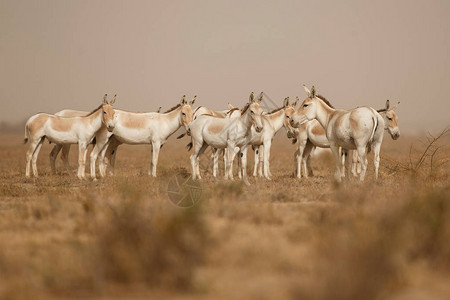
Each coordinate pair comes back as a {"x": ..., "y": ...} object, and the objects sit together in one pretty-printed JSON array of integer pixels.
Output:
[{"x": 67, "y": 54}]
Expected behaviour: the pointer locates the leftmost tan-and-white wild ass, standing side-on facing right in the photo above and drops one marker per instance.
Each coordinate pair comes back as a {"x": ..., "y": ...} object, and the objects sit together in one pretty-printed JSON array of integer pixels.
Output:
[{"x": 59, "y": 130}]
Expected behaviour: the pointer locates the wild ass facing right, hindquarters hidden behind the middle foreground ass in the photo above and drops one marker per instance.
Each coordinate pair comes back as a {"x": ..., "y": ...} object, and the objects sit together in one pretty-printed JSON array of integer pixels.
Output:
[{"x": 262, "y": 141}]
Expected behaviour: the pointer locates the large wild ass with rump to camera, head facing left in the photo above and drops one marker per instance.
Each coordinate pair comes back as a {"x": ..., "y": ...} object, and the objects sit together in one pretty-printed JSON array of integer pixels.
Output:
[{"x": 354, "y": 129}]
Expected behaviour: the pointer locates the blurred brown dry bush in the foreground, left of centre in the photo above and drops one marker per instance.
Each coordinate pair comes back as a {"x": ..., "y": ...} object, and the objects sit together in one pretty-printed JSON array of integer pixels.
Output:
[{"x": 140, "y": 243}]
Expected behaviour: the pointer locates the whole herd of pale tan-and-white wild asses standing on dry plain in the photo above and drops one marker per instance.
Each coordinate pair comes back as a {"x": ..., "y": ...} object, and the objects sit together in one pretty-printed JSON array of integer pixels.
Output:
[{"x": 315, "y": 123}]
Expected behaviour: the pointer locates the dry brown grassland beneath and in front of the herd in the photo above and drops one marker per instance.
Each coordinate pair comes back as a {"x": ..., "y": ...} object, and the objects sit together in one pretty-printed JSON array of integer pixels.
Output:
[{"x": 281, "y": 239}]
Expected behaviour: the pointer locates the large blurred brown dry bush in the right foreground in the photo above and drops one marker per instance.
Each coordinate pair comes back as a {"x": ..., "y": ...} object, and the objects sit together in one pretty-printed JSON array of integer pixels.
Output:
[{"x": 363, "y": 246}]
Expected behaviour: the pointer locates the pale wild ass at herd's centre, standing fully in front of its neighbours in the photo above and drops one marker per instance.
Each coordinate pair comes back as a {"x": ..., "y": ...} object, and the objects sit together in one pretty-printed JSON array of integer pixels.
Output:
[{"x": 230, "y": 133}]
